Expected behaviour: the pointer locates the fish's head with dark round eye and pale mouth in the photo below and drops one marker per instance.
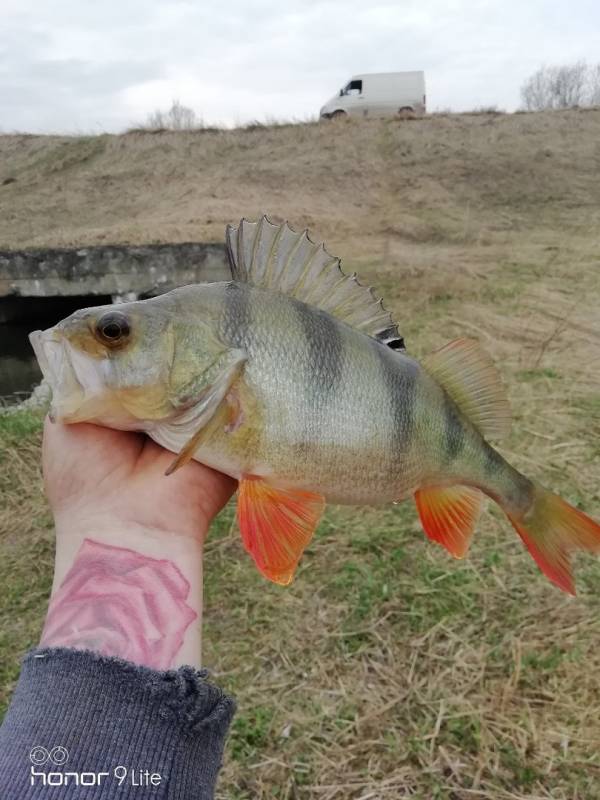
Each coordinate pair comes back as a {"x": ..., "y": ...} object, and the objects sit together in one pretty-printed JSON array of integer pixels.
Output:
[{"x": 124, "y": 366}]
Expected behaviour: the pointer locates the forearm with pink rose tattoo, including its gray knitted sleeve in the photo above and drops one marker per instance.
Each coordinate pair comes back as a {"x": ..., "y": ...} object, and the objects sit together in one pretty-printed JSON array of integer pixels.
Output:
[{"x": 108, "y": 682}]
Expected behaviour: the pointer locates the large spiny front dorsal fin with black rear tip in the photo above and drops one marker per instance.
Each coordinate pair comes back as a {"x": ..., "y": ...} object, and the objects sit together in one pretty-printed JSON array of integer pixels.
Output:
[{"x": 278, "y": 258}]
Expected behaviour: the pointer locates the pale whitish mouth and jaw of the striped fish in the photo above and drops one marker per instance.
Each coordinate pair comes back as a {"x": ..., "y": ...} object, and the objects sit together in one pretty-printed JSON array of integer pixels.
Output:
[{"x": 75, "y": 378}]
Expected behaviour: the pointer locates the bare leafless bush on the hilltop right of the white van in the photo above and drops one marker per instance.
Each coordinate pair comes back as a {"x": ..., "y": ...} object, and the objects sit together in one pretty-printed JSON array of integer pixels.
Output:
[{"x": 566, "y": 86}]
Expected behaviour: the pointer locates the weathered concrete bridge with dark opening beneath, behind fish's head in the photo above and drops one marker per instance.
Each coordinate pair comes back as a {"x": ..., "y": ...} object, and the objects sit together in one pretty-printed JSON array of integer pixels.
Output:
[{"x": 40, "y": 287}]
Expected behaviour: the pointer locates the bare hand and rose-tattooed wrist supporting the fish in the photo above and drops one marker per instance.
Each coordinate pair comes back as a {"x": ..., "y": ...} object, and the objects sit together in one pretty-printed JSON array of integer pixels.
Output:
[{"x": 128, "y": 573}]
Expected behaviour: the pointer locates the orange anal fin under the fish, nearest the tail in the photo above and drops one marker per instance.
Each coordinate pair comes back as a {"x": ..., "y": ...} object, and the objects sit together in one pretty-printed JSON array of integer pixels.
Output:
[{"x": 448, "y": 515}]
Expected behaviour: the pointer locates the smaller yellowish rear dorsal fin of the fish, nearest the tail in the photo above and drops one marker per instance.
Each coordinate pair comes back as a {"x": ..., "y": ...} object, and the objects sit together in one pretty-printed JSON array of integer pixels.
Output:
[{"x": 469, "y": 376}]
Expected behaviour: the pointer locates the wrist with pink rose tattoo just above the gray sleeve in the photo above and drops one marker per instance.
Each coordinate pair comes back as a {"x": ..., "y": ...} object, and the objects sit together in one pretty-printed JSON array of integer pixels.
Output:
[{"x": 126, "y": 589}]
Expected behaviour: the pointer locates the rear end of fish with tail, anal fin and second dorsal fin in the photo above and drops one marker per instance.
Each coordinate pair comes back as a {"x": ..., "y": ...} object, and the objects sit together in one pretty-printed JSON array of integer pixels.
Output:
[{"x": 550, "y": 528}]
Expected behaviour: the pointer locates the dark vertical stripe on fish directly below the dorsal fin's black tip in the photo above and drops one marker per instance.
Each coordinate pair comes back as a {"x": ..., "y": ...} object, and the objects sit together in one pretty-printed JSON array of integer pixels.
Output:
[{"x": 400, "y": 376}]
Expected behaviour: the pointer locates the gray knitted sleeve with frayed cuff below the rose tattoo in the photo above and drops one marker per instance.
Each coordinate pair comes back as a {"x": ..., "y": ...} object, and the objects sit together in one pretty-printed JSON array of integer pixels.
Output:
[{"x": 101, "y": 728}]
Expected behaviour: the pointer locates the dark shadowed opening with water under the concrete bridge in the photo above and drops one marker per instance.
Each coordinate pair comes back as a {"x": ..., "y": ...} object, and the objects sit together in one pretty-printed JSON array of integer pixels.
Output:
[{"x": 19, "y": 371}]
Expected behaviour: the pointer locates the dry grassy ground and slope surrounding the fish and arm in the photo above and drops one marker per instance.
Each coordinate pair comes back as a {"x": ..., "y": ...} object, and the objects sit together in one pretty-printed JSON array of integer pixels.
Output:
[{"x": 386, "y": 670}]
